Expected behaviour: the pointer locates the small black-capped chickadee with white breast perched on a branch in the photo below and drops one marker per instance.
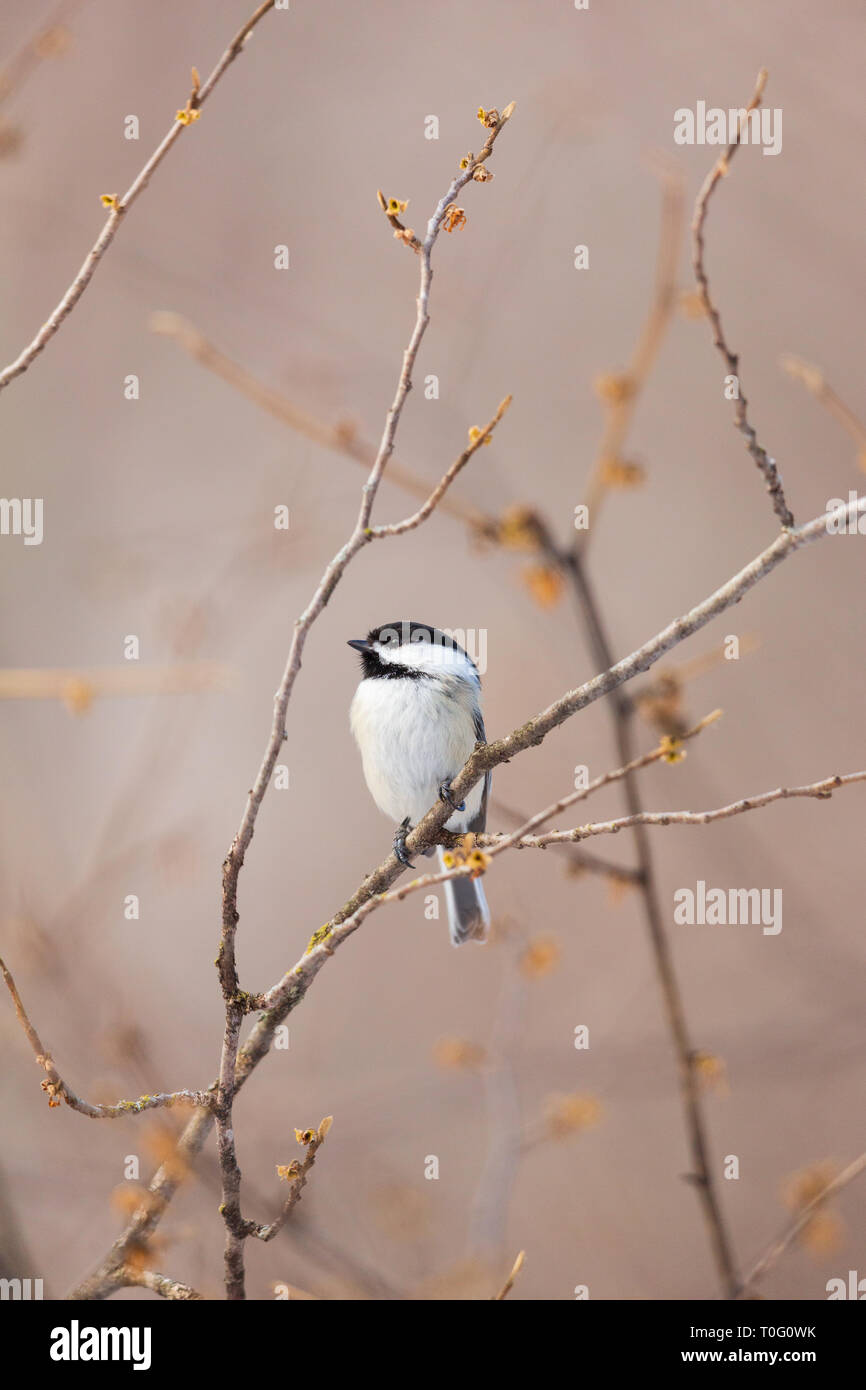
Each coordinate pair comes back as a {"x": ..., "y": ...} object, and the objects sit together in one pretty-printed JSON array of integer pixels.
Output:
[{"x": 416, "y": 718}]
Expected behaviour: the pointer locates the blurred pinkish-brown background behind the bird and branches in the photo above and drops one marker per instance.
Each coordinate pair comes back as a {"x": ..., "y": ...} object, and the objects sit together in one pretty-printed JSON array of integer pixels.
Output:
[{"x": 159, "y": 523}]
